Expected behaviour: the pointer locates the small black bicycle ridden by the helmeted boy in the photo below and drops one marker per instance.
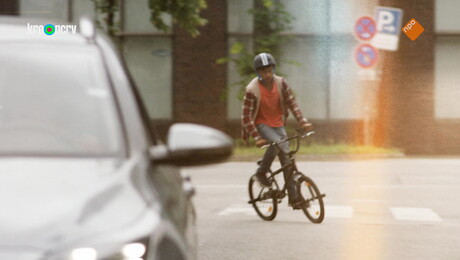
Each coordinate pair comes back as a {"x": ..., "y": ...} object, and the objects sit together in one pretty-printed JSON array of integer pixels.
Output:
[{"x": 265, "y": 200}]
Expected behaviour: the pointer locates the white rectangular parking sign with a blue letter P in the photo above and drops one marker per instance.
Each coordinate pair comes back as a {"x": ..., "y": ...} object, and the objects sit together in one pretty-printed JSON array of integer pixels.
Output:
[{"x": 388, "y": 21}]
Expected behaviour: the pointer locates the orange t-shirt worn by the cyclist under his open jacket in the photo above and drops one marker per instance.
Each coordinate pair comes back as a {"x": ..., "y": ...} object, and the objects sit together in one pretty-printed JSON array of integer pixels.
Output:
[{"x": 270, "y": 112}]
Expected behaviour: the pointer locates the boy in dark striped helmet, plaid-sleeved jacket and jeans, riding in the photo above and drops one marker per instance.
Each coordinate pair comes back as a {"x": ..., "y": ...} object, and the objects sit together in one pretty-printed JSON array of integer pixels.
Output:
[{"x": 264, "y": 113}]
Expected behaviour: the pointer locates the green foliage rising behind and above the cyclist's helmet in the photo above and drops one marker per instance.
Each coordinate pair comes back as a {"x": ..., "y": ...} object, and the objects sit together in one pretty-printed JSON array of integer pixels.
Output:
[{"x": 270, "y": 20}]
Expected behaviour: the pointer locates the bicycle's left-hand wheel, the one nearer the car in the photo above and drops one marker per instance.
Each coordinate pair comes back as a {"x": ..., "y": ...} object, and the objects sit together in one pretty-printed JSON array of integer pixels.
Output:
[{"x": 262, "y": 199}]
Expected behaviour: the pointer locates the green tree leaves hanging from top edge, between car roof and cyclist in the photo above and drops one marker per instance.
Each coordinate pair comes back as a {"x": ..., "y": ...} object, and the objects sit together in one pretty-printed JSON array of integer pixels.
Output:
[{"x": 186, "y": 13}]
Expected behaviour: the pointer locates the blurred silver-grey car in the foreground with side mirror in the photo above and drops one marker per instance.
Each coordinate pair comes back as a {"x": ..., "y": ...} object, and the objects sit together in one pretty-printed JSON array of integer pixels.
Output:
[{"x": 82, "y": 174}]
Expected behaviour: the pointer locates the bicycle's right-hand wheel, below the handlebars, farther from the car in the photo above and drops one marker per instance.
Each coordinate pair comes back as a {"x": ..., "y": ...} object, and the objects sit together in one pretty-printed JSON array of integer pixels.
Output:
[{"x": 313, "y": 205}]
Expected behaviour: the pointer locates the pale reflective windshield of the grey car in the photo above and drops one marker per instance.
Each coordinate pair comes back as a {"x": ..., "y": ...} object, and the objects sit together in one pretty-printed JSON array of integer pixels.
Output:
[{"x": 55, "y": 100}]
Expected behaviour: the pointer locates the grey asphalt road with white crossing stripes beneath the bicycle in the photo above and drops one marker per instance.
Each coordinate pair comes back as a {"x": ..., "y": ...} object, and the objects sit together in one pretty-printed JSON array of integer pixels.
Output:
[{"x": 375, "y": 209}]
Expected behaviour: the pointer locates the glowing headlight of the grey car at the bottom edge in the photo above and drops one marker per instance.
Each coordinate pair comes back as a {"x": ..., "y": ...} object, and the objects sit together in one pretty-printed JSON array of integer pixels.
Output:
[{"x": 131, "y": 251}]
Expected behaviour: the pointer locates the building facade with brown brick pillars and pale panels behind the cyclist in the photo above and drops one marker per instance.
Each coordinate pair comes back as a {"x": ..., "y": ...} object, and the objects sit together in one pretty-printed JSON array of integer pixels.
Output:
[{"x": 409, "y": 101}]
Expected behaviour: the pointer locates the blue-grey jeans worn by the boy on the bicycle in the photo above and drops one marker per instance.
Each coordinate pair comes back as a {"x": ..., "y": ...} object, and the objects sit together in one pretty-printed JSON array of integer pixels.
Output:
[{"x": 274, "y": 134}]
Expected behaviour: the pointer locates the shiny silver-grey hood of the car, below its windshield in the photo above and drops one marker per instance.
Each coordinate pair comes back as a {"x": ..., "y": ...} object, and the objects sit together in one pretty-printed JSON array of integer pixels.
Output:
[{"x": 57, "y": 201}]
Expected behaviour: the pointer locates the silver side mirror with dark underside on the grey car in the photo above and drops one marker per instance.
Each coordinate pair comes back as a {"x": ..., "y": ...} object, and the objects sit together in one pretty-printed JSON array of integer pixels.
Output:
[{"x": 191, "y": 144}]
